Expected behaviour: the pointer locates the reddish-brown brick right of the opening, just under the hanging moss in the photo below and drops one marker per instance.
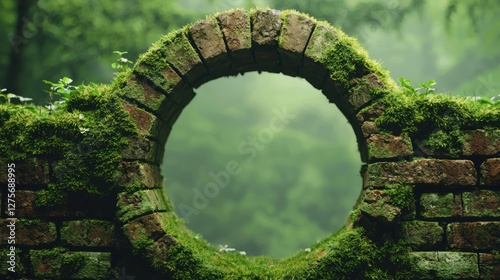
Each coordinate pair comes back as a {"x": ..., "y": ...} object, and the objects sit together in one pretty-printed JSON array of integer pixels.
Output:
[{"x": 382, "y": 146}]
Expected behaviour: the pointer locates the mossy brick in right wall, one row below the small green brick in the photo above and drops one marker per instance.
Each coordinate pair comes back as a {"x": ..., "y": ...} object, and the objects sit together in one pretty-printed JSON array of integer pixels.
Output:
[{"x": 422, "y": 235}]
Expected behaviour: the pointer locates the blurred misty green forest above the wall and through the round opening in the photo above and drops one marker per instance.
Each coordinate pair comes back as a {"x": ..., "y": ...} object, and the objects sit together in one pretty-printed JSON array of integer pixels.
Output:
[{"x": 301, "y": 186}]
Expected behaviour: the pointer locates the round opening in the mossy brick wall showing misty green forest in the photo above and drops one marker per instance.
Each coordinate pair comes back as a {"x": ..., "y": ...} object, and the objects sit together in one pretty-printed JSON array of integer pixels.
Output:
[{"x": 262, "y": 164}]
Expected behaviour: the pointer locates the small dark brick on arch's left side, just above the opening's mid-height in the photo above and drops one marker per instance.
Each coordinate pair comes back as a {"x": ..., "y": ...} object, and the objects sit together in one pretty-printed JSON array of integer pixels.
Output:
[{"x": 141, "y": 149}]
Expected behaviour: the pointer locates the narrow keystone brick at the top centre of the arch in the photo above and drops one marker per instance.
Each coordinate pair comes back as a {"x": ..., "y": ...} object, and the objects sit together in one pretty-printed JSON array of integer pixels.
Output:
[{"x": 266, "y": 26}]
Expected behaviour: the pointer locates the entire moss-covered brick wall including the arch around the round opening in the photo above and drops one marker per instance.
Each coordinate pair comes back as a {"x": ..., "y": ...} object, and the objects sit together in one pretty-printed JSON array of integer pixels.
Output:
[{"x": 82, "y": 196}]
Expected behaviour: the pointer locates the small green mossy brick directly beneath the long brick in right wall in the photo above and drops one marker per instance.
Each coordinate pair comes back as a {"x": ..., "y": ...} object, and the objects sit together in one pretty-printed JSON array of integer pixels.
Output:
[{"x": 435, "y": 205}]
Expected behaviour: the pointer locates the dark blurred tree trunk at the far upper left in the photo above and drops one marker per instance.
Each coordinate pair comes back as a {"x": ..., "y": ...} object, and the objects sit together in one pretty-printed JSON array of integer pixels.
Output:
[{"x": 18, "y": 41}]
